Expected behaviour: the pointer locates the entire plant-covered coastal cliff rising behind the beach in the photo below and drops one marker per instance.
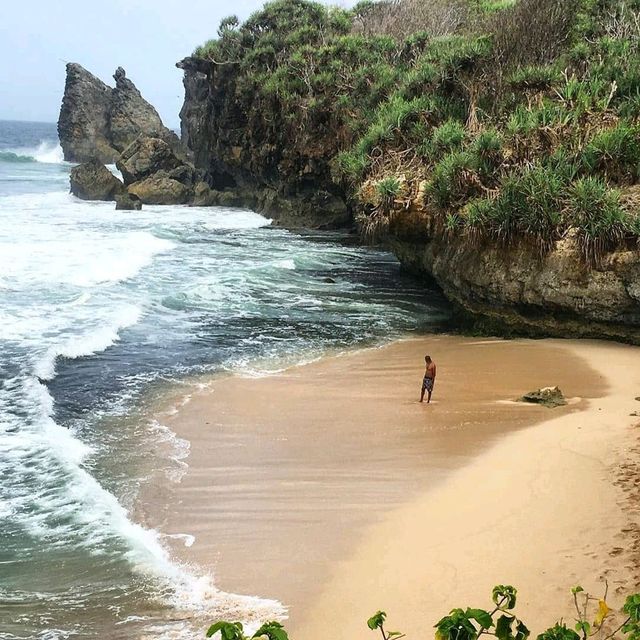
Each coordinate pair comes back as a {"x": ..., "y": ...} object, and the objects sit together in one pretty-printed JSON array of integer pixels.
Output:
[{"x": 494, "y": 146}]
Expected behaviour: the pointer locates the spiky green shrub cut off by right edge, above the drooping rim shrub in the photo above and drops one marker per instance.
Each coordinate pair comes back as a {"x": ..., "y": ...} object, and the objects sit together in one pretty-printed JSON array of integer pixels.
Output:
[{"x": 615, "y": 153}]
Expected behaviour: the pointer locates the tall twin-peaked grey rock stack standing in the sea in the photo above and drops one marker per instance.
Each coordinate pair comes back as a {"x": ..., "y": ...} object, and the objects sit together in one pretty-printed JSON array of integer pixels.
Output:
[{"x": 97, "y": 122}]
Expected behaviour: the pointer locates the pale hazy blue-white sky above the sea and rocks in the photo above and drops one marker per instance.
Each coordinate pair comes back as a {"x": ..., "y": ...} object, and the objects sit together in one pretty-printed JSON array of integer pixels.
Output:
[{"x": 146, "y": 37}]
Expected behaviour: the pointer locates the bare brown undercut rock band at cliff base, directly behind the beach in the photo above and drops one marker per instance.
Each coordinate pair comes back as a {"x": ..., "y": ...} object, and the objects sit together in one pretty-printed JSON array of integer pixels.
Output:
[{"x": 514, "y": 290}]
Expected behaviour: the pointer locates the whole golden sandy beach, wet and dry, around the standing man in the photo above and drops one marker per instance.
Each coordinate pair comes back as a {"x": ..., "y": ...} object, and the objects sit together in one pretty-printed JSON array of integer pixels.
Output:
[{"x": 330, "y": 488}]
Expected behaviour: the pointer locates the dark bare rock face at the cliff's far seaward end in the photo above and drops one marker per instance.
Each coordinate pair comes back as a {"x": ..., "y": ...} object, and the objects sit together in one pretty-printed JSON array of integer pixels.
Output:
[{"x": 241, "y": 149}]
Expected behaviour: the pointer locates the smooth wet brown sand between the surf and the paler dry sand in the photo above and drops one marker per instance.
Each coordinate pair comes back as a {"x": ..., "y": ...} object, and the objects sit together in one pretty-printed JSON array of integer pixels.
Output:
[{"x": 254, "y": 529}]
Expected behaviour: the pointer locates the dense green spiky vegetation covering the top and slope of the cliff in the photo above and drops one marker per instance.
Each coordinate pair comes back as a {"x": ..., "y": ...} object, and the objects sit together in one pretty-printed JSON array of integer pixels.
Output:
[{"x": 521, "y": 118}]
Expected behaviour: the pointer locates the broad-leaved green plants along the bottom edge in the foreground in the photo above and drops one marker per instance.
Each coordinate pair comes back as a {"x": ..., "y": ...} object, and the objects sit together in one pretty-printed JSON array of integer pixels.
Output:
[{"x": 594, "y": 618}]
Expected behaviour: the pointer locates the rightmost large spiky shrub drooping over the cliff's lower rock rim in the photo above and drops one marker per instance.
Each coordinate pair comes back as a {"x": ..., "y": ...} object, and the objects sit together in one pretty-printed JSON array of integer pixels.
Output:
[{"x": 595, "y": 211}]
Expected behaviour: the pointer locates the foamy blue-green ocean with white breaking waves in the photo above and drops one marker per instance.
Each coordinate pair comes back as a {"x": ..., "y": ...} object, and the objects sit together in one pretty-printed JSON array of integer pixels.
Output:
[{"x": 101, "y": 312}]
